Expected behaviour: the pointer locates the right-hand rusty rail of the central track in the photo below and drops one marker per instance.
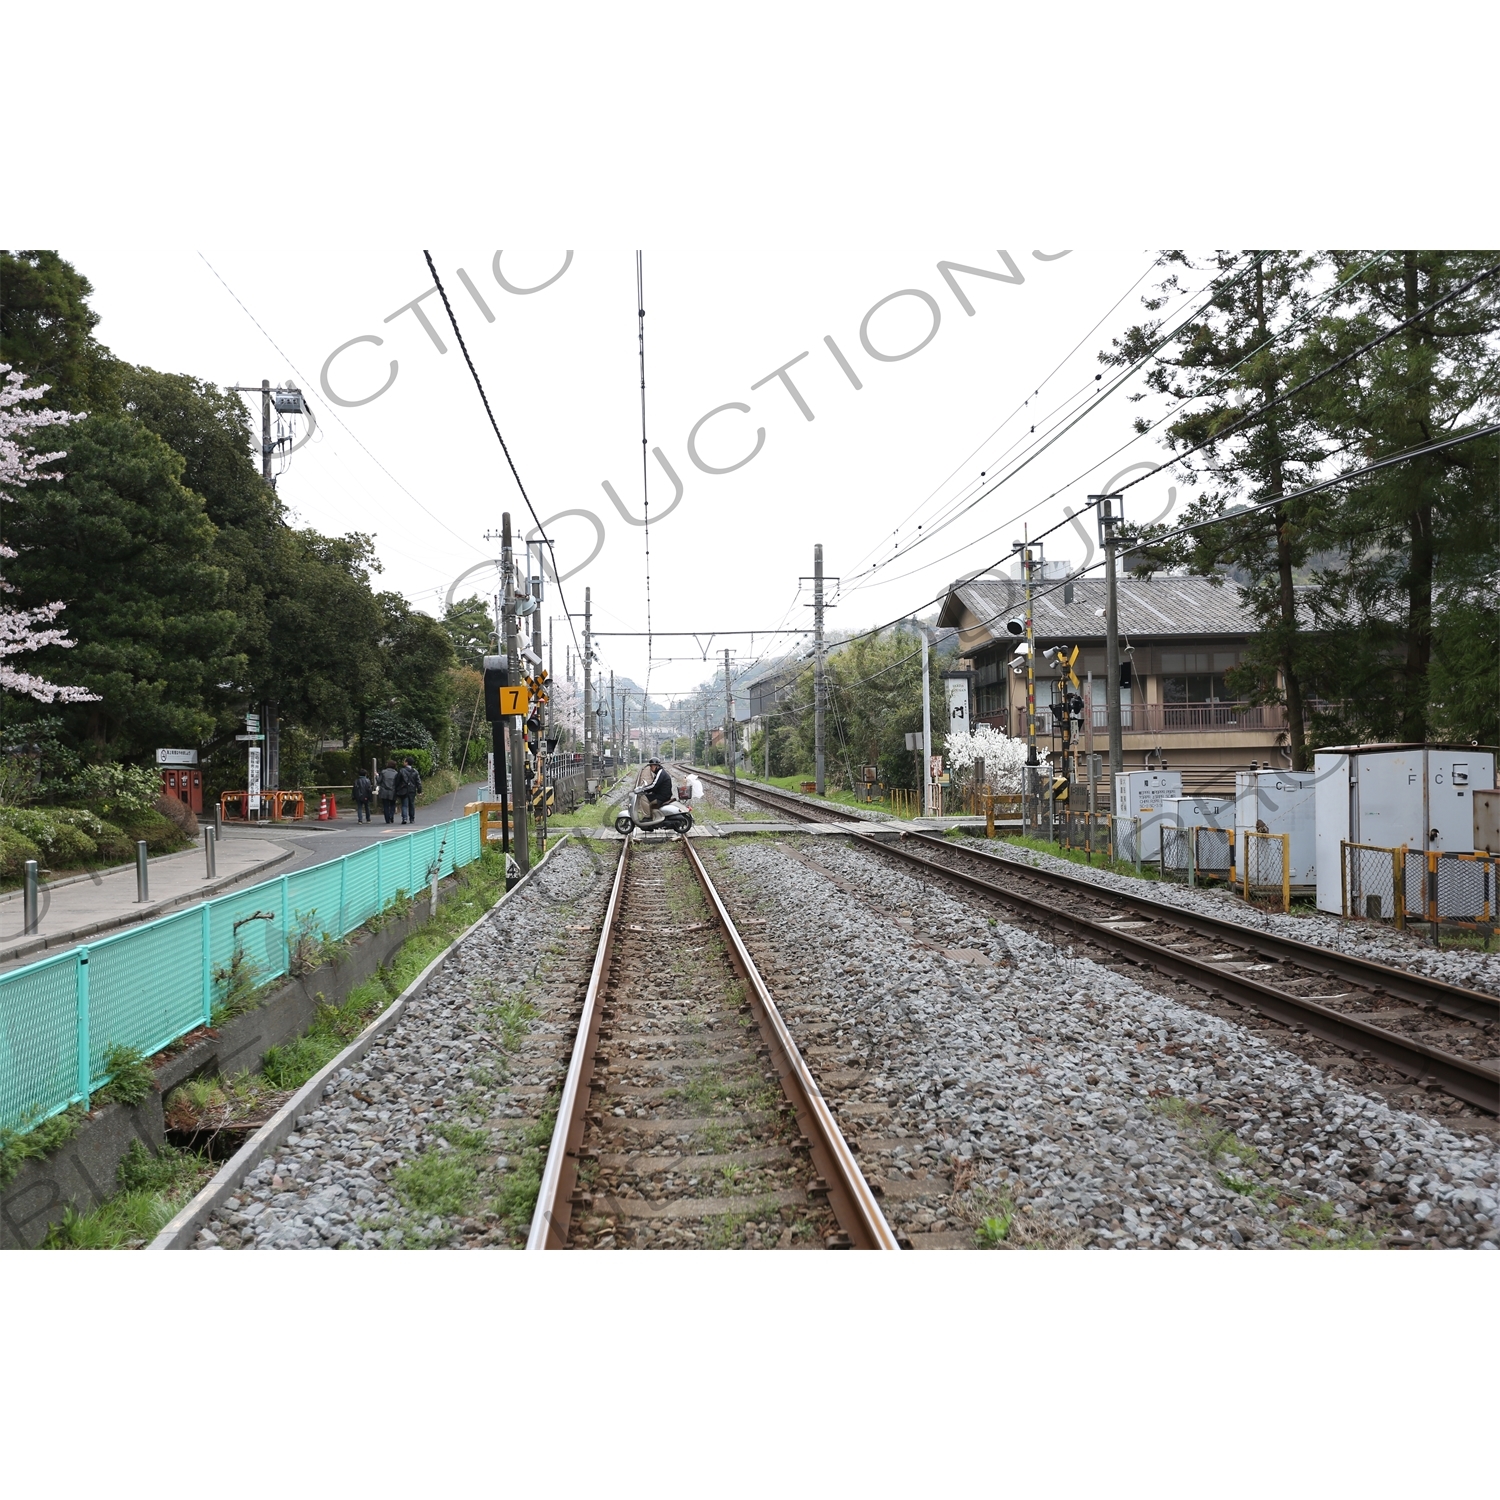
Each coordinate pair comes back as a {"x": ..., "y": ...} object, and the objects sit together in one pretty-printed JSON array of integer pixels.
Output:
[{"x": 850, "y": 1196}]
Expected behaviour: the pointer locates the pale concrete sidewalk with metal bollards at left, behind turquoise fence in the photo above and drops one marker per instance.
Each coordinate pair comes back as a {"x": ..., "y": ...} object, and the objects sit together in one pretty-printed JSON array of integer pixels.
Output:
[{"x": 79, "y": 908}]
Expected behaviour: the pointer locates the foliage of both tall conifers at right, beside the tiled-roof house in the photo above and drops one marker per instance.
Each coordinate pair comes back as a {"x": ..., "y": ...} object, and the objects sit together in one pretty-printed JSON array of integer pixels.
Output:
[{"x": 1379, "y": 601}]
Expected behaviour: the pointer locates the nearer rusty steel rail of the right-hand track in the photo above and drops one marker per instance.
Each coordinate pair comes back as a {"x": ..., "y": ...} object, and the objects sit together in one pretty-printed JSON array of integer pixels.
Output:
[{"x": 1459, "y": 1076}]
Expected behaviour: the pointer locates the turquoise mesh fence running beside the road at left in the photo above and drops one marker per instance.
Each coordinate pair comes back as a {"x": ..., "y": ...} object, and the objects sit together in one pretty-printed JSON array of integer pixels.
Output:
[{"x": 151, "y": 985}]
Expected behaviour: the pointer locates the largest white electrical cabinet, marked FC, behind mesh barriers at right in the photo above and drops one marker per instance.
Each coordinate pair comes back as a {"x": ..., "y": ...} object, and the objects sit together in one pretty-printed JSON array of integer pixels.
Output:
[{"x": 1420, "y": 797}]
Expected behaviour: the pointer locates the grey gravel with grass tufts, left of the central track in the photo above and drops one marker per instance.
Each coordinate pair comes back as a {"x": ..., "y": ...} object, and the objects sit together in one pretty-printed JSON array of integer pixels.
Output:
[{"x": 434, "y": 1138}]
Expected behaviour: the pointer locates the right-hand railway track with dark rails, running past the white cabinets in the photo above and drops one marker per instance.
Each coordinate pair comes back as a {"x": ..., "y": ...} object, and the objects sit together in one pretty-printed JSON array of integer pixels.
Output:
[{"x": 1442, "y": 1036}]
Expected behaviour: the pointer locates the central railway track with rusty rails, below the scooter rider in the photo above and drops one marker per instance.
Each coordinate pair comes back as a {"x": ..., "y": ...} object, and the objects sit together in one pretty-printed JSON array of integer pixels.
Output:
[{"x": 688, "y": 1117}]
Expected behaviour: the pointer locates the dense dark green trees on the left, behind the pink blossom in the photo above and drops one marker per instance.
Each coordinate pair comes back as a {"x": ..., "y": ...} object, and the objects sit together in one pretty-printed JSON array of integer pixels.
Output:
[{"x": 188, "y": 593}]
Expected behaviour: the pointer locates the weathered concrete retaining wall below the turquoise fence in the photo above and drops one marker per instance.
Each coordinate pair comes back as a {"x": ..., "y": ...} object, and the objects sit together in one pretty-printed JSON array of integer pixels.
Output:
[{"x": 83, "y": 1174}]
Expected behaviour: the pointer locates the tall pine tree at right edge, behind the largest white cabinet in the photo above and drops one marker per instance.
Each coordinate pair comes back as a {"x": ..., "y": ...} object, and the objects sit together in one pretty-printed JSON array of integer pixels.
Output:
[{"x": 1414, "y": 611}]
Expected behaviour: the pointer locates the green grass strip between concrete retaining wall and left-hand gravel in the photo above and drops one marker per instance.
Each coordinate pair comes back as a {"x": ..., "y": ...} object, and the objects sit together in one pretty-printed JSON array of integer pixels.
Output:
[{"x": 154, "y": 1189}]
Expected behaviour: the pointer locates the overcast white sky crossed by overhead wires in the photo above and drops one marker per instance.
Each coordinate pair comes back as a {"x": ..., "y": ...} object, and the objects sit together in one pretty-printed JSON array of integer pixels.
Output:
[{"x": 562, "y": 371}]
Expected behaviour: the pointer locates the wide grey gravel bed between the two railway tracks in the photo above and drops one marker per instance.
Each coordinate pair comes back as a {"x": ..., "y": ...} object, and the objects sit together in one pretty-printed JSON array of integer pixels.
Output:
[{"x": 1069, "y": 1103}]
